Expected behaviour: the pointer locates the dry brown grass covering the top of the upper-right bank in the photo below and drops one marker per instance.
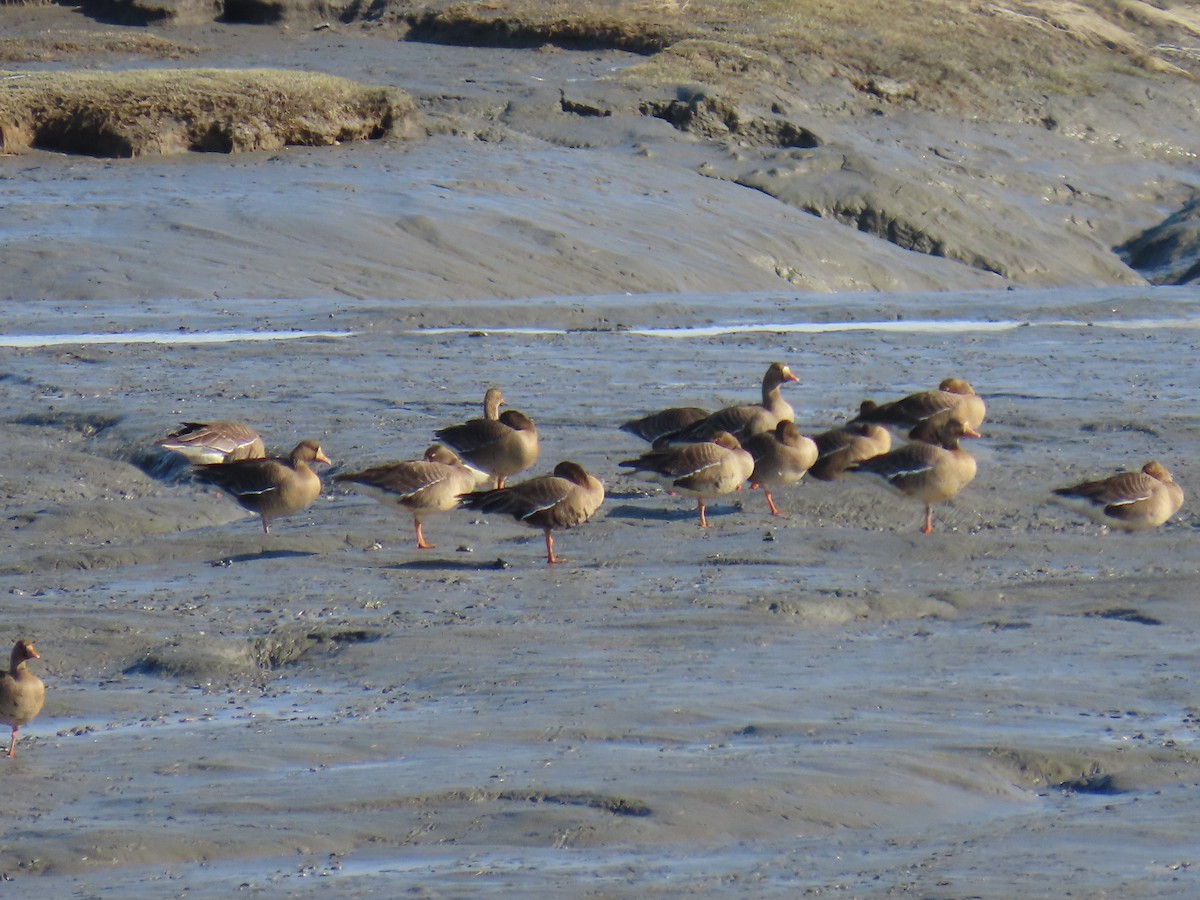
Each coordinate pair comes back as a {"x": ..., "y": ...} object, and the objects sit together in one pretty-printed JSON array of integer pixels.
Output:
[{"x": 937, "y": 53}]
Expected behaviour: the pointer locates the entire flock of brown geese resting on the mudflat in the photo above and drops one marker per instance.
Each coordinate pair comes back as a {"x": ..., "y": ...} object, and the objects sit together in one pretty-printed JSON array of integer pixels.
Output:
[{"x": 693, "y": 452}]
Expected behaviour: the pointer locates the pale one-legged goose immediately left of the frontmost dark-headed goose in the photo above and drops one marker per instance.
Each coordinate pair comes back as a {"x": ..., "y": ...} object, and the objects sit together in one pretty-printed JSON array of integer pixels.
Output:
[{"x": 421, "y": 487}]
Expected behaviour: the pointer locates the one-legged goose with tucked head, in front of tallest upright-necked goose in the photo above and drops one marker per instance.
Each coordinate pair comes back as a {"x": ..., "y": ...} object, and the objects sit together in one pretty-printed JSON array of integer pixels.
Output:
[{"x": 704, "y": 471}]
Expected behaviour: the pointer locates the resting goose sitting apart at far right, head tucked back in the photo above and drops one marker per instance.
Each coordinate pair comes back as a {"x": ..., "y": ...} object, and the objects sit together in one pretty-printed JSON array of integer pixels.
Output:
[{"x": 1133, "y": 501}]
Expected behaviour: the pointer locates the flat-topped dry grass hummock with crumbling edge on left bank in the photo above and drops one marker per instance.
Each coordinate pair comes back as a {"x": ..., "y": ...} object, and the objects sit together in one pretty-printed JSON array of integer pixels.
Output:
[{"x": 172, "y": 111}]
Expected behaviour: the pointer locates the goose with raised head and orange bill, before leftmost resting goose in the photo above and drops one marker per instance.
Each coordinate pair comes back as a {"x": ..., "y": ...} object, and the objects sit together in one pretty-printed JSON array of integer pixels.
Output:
[{"x": 272, "y": 488}]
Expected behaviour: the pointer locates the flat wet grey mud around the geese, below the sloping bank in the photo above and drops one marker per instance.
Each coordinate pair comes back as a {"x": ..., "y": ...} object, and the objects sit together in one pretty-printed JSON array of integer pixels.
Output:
[{"x": 829, "y": 701}]
